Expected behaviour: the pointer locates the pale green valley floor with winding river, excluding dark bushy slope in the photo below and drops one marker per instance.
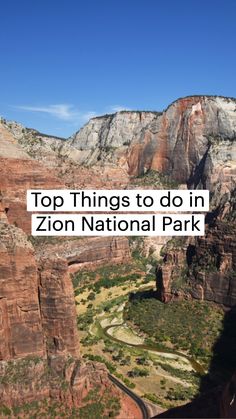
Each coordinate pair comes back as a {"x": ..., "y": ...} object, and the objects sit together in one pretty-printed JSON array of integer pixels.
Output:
[{"x": 157, "y": 372}]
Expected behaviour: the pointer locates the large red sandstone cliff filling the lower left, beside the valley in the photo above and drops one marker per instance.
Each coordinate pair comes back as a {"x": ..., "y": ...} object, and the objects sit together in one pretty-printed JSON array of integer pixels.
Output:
[{"x": 39, "y": 346}]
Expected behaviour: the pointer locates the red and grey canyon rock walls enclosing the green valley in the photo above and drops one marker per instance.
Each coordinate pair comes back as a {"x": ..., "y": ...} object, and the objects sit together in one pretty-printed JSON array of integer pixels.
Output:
[{"x": 192, "y": 144}]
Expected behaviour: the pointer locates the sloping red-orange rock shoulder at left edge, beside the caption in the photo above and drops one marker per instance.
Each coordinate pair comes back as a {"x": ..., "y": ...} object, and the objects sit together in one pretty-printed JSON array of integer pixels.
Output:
[{"x": 19, "y": 172}]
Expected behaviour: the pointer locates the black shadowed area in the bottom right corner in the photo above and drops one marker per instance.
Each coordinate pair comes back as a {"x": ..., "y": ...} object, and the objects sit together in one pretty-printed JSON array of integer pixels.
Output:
[{"x": 211, "y": 402}]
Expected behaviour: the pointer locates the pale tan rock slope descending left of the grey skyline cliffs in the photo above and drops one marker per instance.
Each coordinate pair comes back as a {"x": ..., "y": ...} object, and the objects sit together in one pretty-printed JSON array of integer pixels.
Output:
[{"x": 60, "y": 155}]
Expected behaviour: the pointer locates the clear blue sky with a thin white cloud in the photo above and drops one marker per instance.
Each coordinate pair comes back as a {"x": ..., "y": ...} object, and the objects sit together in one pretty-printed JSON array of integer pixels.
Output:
[{"x": 64, "y": 61}]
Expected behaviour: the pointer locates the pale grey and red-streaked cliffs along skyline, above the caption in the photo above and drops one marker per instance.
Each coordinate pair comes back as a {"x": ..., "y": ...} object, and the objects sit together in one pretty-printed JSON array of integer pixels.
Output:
[{"x": 193, "y": 142}]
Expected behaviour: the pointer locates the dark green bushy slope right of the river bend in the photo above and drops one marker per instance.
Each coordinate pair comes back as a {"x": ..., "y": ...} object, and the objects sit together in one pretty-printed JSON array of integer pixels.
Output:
[{"x": 191, "y": 326}]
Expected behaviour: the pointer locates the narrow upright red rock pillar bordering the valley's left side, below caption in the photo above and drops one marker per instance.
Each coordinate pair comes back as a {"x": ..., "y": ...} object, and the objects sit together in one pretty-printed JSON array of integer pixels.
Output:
[{"x": 56, "y": 299}]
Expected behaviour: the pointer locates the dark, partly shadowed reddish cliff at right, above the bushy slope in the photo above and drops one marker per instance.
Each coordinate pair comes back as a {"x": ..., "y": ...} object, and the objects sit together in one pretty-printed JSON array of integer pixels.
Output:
[{"x": 201, "y": 268}]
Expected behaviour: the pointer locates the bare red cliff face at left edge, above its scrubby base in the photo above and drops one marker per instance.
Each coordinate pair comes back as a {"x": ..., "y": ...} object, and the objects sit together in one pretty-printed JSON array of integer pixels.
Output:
[{"x": 21, "y": 328}]
